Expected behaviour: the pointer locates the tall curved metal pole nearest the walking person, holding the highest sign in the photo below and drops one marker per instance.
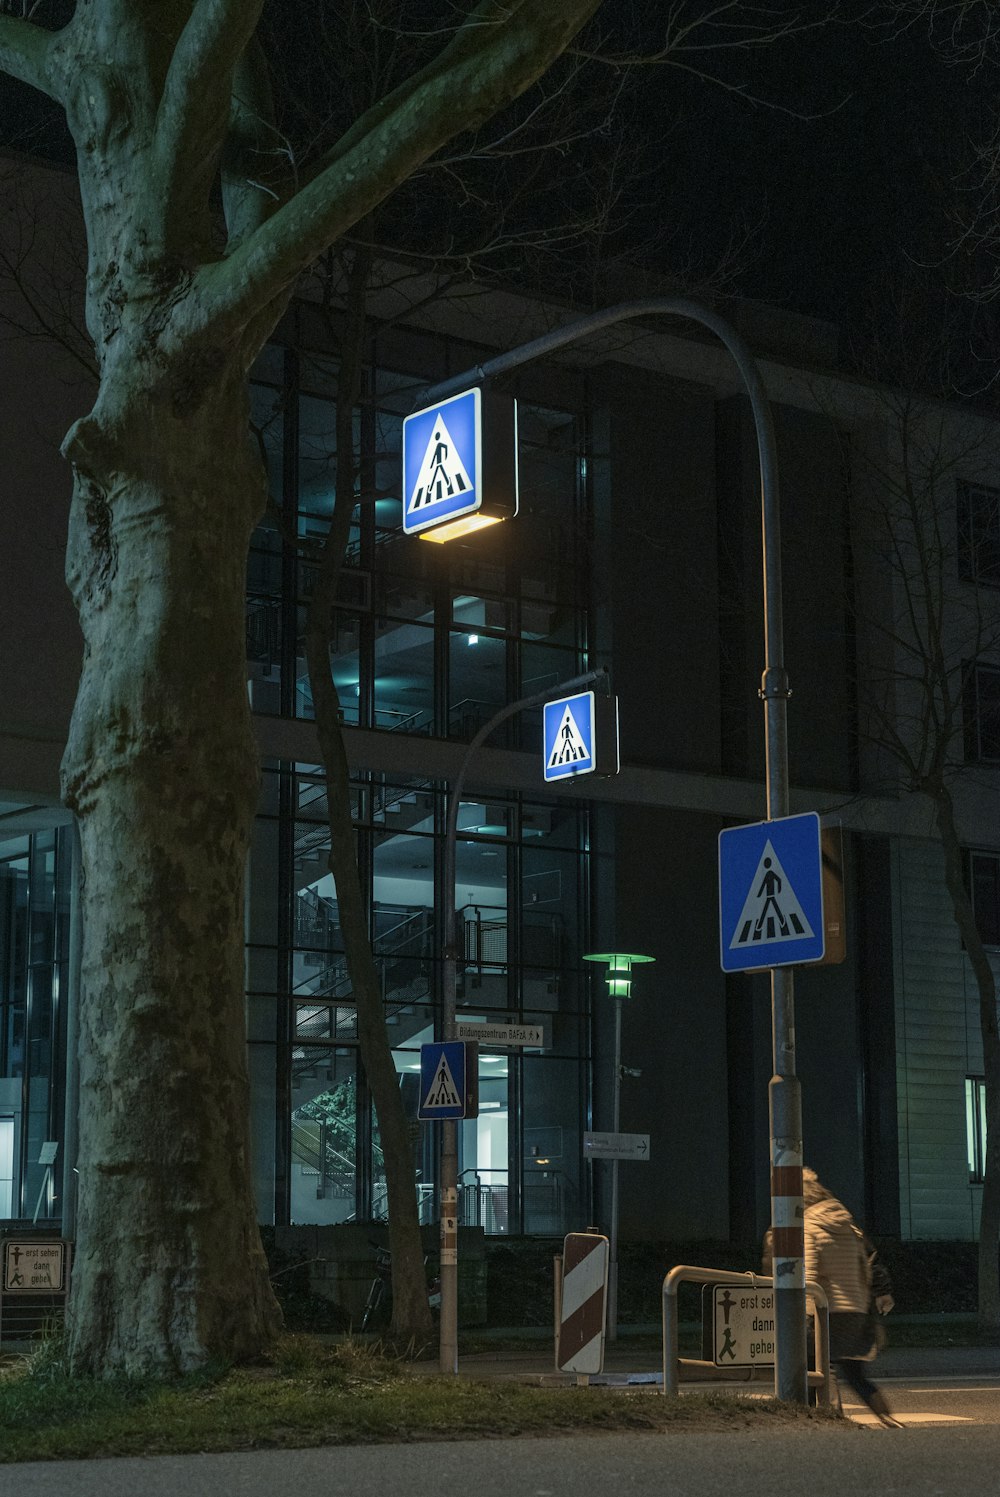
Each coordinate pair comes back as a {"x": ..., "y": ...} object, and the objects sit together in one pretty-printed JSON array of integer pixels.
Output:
[{"x": 784, "y": 1094}]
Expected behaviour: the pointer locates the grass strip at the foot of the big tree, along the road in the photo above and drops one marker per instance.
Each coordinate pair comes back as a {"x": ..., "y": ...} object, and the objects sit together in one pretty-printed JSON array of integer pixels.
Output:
[{"x": 312, "y": 1394}]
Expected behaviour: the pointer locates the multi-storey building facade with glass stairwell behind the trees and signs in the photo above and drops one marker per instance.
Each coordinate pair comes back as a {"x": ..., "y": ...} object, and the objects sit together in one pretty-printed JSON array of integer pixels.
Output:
[{"x": 637, "y": 547}]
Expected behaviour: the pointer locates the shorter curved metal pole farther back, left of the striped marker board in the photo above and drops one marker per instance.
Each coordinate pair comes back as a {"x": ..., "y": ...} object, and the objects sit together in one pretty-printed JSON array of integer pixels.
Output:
[{"x": 450, "y": 998}]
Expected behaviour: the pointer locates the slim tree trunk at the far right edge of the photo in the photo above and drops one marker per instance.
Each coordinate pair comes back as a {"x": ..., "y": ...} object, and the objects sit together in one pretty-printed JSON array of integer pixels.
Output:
[{"x": 986, "y": 983}]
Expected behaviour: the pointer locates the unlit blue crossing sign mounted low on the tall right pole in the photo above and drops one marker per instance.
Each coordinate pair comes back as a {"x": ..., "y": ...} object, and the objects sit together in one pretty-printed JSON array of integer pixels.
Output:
[{"x": 772, "y": 894}]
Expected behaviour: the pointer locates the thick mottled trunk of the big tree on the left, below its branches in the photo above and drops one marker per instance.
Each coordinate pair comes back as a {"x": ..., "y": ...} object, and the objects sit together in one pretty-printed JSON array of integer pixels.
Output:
[{"x": 162, "y": 773}]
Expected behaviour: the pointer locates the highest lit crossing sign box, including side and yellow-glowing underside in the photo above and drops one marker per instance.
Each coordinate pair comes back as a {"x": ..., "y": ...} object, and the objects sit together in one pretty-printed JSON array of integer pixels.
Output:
[{"x": 460, "y": 465}]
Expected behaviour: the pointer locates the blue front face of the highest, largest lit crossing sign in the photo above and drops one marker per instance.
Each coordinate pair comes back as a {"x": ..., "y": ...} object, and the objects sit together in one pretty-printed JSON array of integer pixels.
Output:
[{"x": 442, "y": 462}]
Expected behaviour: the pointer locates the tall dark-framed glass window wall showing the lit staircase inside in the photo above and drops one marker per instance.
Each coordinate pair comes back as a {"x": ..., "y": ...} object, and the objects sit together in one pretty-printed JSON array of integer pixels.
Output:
[{"x": 426, "y": 643}]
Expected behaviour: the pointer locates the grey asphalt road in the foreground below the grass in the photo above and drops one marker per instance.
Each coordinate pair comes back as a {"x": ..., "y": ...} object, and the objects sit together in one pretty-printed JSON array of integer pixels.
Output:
[{"x": 921, "y": 1462}]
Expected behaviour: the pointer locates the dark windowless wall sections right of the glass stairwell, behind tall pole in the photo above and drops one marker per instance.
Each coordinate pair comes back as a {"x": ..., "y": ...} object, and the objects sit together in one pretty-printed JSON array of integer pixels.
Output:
[{"x": 680, "y": 574}]
